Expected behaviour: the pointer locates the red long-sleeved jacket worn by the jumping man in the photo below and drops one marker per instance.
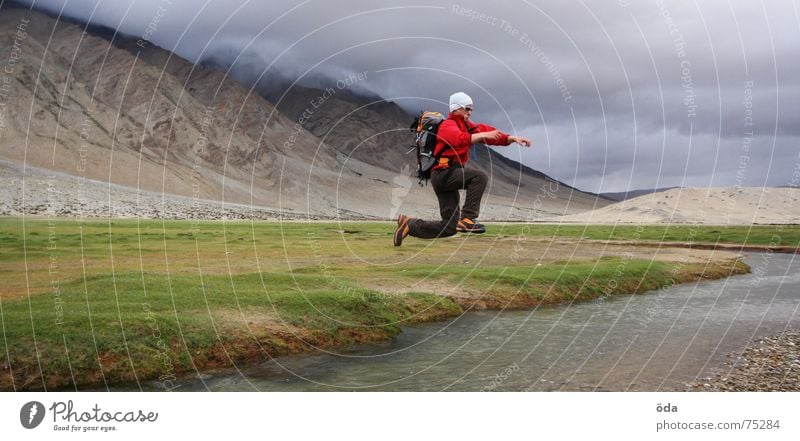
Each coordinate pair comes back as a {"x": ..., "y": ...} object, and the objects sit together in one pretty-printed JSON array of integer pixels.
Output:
[{"x": 454, "y": 139}]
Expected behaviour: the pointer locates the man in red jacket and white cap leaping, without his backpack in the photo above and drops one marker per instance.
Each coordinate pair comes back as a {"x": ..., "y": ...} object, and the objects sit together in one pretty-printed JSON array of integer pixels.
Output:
[{"x": 455, "y": 137}]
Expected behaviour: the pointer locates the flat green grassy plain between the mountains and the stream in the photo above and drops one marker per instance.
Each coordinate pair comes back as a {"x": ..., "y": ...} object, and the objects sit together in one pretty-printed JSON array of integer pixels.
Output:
[{"x": 97, "y": 301}]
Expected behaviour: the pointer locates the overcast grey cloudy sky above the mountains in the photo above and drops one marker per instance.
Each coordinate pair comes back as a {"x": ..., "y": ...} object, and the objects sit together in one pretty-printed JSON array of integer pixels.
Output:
[{"x": 616, "y": 95}]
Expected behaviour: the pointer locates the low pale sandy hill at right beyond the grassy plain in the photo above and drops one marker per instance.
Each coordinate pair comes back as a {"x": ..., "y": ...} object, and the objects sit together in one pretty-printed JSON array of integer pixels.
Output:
[{"x": 718, "y": 206}]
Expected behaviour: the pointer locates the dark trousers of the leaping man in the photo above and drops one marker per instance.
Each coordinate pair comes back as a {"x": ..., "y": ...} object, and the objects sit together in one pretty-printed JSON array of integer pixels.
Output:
[{"x": 446, "y": 184}]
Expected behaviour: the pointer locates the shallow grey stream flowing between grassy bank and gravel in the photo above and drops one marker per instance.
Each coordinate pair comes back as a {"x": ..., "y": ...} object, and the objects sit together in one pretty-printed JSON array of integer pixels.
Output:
[{"x": 660, "y": 340}]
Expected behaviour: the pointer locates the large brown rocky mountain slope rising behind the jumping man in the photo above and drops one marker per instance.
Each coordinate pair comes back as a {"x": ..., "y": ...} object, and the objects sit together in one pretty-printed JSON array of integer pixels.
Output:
[{"x": 105, "y": 108}]
